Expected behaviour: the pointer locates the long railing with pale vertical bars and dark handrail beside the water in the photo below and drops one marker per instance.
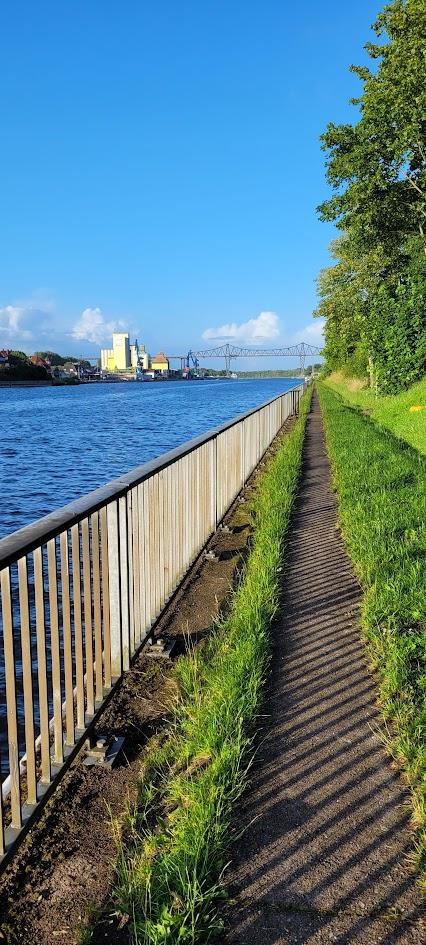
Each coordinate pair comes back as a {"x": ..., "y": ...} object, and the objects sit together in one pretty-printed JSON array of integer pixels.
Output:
[{"x": 82, "y": 588}]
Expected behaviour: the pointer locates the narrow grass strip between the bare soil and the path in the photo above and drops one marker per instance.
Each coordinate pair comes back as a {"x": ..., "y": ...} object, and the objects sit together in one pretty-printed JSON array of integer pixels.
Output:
[{"x": 176, "y": 842}]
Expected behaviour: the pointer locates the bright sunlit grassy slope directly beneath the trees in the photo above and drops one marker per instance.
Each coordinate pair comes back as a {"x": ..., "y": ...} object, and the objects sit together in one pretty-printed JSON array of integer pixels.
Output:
[{"x": 393, "y": 411}]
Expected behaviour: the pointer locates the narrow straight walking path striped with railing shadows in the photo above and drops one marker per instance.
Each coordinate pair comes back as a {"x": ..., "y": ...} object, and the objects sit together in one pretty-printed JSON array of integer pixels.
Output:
[{"x": 323, "y": 858}]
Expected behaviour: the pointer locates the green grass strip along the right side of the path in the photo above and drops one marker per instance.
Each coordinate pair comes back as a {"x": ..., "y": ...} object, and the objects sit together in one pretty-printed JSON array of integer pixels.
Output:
[{"x": 381, "y": 487}]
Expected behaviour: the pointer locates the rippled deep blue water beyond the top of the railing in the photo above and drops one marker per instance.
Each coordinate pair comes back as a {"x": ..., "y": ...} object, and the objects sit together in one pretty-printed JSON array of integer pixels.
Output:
[{"x": 59, "y": 443}]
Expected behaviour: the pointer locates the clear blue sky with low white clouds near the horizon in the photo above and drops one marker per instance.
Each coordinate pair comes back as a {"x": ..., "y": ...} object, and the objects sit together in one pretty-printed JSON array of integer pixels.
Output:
[{"x": 160, "y": 167}]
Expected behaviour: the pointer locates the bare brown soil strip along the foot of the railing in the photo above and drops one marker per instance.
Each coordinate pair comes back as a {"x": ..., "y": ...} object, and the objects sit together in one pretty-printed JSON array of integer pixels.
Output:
[{"x": 62, "y": 875}]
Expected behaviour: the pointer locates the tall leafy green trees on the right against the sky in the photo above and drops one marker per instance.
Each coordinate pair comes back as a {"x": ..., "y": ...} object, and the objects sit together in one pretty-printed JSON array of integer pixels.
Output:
[{"x": 374, "y": 296}]
